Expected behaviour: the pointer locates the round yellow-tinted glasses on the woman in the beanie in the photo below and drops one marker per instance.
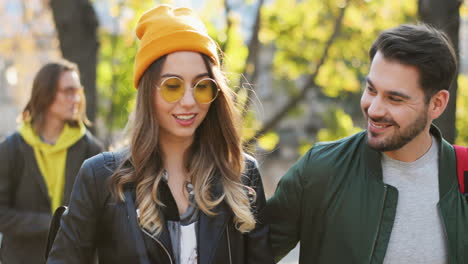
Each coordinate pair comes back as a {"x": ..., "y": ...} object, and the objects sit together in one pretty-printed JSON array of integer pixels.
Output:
[{"x": 172, "y": 90}]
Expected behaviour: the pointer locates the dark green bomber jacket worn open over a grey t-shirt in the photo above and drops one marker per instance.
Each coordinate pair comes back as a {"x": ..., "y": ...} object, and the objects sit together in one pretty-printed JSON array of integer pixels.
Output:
[{"x": 334, "y": 202}]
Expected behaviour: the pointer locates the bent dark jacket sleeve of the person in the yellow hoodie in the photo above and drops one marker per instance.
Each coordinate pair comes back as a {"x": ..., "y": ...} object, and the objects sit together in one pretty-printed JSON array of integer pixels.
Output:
[{"x": 16, "y": 222}]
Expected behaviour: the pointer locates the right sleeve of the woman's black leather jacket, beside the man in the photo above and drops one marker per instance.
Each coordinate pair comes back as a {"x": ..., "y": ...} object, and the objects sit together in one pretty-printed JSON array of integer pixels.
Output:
[{"x": 258, "y": 245}]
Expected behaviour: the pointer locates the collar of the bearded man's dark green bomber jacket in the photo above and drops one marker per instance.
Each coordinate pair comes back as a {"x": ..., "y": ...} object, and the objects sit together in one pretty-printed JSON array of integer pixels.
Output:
[{"x": 447, "y": 166}]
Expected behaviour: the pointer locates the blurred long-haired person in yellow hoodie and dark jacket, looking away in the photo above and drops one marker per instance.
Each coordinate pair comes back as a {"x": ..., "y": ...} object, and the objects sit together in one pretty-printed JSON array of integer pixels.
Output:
[{"x": 39, "y": 162}]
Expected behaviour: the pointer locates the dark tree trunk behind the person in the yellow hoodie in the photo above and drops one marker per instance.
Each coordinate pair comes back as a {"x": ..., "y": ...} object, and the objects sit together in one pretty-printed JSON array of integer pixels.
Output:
[{"x": 76, "y": 24}]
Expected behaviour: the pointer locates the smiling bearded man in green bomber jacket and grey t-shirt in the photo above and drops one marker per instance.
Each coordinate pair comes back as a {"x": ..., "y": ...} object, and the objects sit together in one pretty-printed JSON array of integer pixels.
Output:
[{"x": 388, "y": 194}]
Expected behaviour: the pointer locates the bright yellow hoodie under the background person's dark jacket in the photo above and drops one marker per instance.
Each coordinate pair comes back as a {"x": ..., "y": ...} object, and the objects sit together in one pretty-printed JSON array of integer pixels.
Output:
[{"x": 52, "y": 158}]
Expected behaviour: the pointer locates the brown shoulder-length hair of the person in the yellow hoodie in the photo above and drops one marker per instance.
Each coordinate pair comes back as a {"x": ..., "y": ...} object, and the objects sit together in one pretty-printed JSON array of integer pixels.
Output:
[{"x": 43, "y": 93}]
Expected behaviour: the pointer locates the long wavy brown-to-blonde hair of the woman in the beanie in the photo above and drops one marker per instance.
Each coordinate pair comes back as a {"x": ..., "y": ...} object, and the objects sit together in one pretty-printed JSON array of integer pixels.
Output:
[{"x": 216, "y": 150}]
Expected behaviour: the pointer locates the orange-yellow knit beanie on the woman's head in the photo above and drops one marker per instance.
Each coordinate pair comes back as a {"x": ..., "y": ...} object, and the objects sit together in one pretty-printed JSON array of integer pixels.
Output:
[{"x": 165, "y": 29}]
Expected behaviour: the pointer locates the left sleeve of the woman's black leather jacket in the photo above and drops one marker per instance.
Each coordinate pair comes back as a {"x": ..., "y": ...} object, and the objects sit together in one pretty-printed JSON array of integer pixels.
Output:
[{"x": 76, "y": 239}]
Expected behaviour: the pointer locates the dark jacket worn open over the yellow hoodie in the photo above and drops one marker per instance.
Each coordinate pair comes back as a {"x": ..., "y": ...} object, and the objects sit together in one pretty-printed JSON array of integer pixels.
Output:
[{"x": 25, "y": 207}]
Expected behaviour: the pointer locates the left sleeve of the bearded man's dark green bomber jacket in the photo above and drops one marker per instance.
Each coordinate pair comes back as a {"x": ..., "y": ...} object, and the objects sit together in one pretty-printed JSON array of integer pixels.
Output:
[{"x": 283, "y": 211}]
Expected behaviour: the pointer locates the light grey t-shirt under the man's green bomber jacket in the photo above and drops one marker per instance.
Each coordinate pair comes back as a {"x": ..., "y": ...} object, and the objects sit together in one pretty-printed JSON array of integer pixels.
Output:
[{"x": 418, "y": 235}]
